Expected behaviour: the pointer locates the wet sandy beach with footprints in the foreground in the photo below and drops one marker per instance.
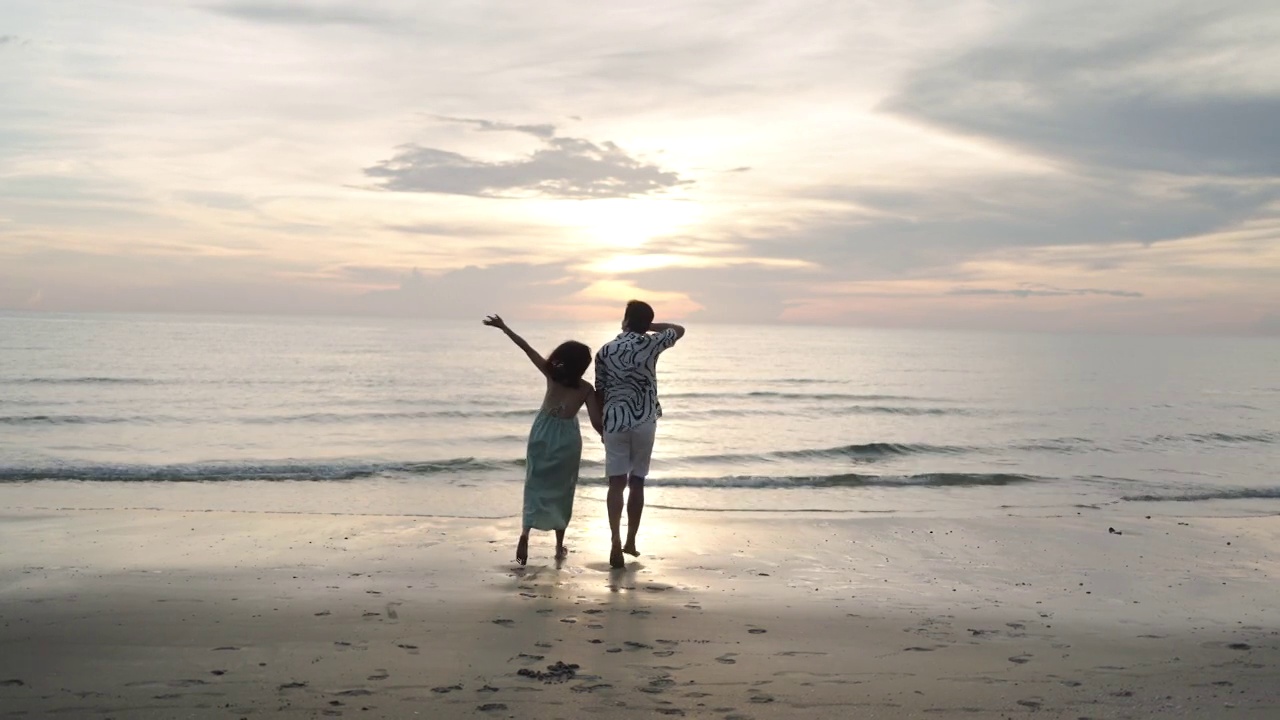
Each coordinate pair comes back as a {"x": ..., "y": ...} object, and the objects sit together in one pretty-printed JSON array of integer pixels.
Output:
[{"x": 164, "y": 613}]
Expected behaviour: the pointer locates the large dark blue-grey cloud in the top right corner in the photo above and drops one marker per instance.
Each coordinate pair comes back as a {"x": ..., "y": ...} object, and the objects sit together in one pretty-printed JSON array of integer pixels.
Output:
[{"x": 1116, "y": 103}]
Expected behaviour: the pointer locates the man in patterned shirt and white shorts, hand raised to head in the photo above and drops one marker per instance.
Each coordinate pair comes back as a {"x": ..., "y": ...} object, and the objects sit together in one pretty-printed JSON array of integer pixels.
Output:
[{"x": 628, "y": 382}]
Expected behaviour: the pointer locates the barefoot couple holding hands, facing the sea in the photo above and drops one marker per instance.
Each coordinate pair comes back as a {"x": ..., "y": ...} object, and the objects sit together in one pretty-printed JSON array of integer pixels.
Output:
[{"x": 624, "y": 409}]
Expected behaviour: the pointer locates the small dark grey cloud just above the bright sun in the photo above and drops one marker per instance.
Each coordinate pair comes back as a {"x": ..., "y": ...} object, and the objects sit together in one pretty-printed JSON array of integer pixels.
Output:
[{"x": 564, "y": 167}]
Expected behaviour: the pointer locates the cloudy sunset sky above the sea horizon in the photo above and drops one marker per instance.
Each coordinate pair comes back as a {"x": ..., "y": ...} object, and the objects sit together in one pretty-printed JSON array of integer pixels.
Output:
[{"x": 1062, "y": 166}]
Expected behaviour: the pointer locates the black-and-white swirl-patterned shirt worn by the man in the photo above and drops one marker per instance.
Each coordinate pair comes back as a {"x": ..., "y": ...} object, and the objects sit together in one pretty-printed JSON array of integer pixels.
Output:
[{"x": 627, "y": 375}]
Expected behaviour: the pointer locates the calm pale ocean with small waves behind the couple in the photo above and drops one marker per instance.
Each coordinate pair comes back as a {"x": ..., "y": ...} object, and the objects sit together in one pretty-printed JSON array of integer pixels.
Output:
[{"x": 431, "y": 417}]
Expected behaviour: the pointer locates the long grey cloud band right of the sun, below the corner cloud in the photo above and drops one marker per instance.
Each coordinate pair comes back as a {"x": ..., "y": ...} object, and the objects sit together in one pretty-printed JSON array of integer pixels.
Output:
[{"x": 899, "y": 231}]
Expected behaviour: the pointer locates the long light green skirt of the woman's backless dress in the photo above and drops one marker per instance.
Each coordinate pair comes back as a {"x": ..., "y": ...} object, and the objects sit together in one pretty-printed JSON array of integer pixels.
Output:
[{"x": 551, "y": 471}]
